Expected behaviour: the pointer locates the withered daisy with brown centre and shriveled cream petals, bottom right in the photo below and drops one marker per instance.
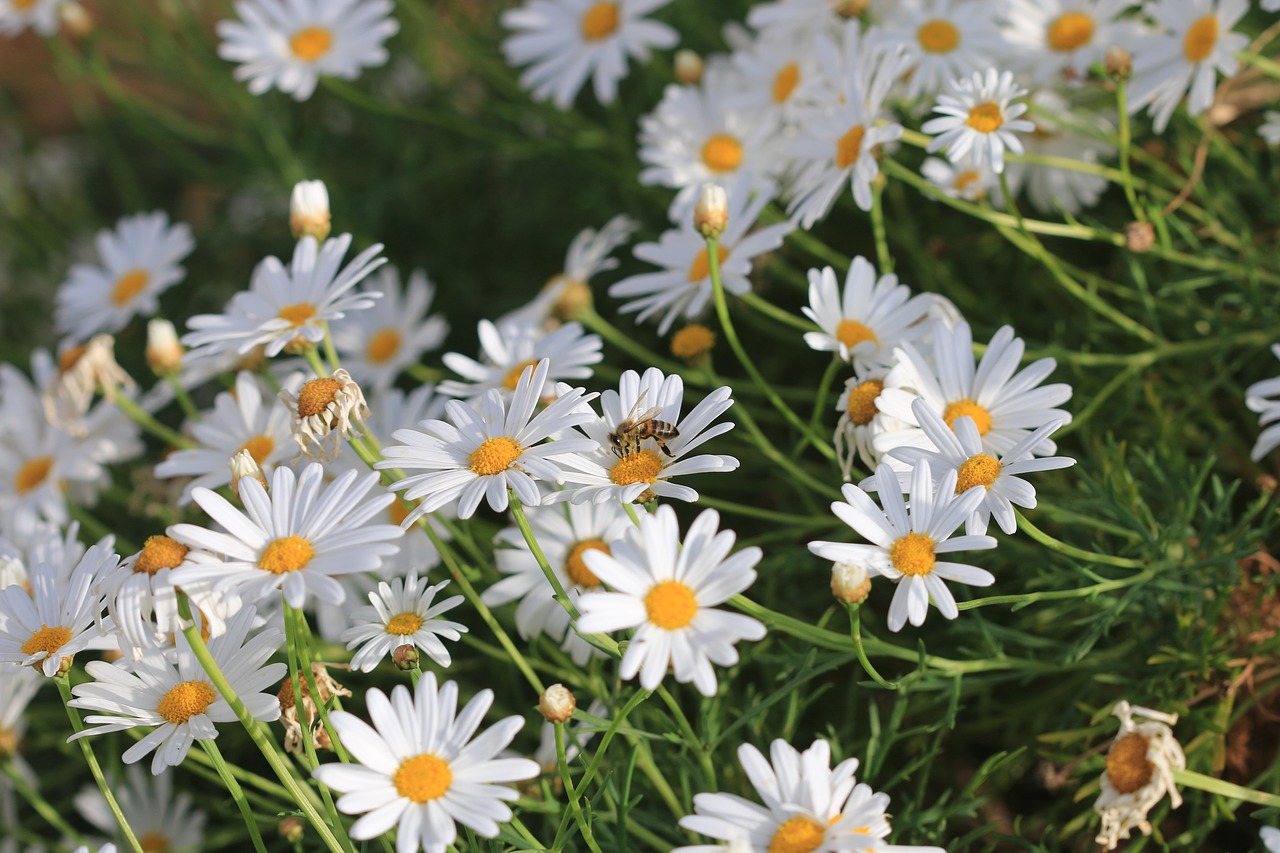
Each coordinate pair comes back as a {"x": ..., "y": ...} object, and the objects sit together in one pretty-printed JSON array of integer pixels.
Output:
[{"x": 1140, "y": 773}]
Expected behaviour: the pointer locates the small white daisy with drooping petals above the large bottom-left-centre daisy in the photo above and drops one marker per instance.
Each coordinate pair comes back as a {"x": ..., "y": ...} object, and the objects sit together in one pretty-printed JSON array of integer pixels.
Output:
[{"x": 403, "y": 614}]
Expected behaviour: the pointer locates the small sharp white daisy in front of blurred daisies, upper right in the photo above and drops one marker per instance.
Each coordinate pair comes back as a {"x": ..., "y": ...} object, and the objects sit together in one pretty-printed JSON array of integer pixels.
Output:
[{"x": 979, "y": 120}]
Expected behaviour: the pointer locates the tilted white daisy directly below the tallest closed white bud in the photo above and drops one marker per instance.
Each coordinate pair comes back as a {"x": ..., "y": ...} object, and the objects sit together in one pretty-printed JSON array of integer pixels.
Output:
[{"x": 290, "y": 304}]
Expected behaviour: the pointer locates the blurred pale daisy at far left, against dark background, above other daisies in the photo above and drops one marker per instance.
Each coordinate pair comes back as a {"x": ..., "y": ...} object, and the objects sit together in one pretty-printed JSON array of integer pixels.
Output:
[{"x": 140, "y": 261}]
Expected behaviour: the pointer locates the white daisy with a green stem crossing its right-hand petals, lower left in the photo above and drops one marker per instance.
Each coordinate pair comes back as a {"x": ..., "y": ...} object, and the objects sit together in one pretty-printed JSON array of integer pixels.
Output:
[{"x": 171, "y": 694}]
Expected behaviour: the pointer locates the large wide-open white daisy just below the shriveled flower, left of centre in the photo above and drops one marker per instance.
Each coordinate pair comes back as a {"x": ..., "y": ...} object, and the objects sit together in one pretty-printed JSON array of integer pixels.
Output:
[{"x": 295, "y": 539}]
